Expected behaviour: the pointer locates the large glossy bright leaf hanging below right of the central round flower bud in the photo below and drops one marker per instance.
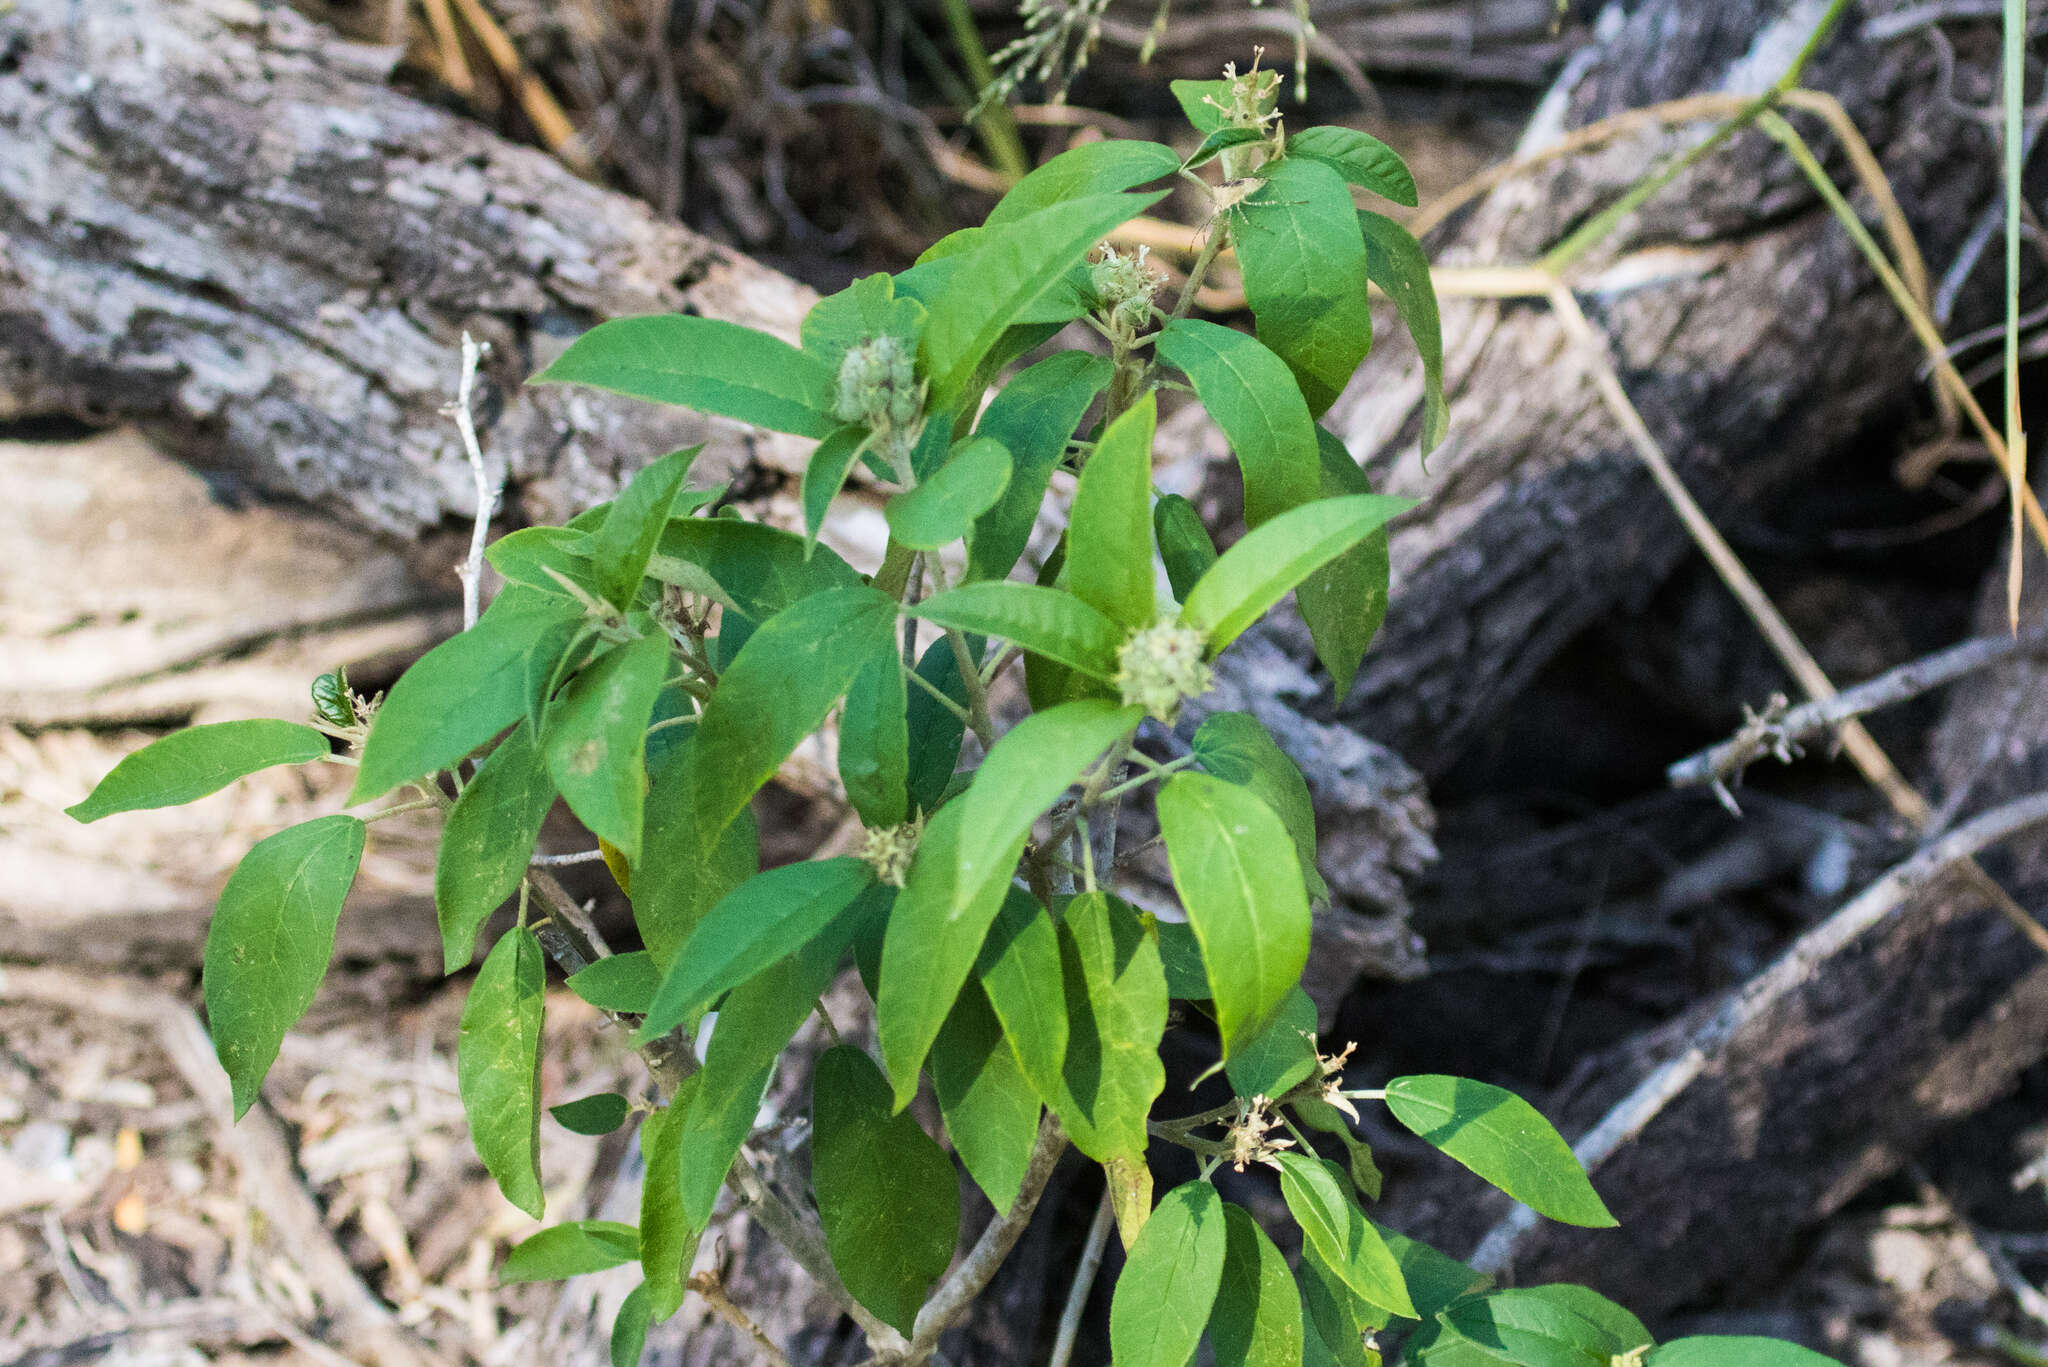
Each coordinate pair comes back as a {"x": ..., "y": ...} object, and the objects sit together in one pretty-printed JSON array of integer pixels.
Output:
[{"x": 1236, "y": 872}]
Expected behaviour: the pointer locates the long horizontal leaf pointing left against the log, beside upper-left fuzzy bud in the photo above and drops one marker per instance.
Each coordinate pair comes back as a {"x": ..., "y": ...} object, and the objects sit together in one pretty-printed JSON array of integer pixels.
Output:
[{"x": 708, "y": 366}]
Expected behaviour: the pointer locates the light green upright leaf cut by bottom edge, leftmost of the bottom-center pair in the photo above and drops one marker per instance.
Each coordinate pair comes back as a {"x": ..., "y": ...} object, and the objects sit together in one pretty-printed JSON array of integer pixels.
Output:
[{"x": 1170, "y": 1280}]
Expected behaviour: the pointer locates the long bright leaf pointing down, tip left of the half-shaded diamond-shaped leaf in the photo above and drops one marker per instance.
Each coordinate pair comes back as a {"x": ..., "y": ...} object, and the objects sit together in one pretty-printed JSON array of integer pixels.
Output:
[{"x": 933, "y": 940}]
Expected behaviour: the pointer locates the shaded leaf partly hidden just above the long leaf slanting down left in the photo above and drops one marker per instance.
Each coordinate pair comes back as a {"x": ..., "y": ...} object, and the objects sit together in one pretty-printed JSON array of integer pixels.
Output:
[{"x": 677, "y": 882}]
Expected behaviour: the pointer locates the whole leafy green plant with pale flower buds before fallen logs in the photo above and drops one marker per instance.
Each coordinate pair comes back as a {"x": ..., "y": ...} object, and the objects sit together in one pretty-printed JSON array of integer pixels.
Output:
[{"x": 656, "y": 661}]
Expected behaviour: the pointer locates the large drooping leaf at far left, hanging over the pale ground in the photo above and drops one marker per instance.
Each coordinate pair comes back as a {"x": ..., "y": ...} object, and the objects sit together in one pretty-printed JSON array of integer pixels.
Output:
[{"x": 271, "y": 940}]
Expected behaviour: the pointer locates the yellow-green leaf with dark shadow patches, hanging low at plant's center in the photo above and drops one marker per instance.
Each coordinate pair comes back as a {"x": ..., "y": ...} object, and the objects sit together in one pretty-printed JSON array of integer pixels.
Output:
[{"x": 1115, "y": 1020}]
